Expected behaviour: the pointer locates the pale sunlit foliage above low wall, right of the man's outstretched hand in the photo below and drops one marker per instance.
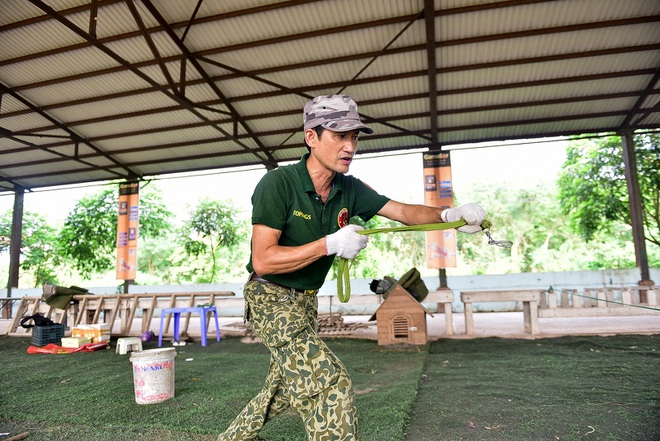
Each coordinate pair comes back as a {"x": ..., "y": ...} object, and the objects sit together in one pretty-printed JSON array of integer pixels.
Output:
[{"x": 531, "y": 219}]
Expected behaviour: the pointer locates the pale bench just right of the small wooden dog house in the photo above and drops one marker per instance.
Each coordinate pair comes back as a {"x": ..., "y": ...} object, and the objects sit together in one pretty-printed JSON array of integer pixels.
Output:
[{"x": 529, "y": 299}]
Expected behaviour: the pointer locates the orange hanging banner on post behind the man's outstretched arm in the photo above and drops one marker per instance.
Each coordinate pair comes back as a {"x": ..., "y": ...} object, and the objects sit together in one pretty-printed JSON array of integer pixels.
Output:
[{"x": 438, "y": 192}]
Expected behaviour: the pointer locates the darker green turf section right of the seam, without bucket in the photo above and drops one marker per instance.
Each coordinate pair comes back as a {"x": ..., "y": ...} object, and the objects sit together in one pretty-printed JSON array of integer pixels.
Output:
[{"x": 566, "y": 389}]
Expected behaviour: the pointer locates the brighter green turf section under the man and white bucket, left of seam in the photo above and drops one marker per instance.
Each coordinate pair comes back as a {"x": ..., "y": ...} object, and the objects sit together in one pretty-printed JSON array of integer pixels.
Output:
[{"x": 91, "y": 396}]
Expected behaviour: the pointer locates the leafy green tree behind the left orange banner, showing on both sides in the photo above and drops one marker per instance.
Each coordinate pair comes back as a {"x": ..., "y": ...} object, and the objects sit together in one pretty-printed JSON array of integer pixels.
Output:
[{"x": 89, "y": 234}]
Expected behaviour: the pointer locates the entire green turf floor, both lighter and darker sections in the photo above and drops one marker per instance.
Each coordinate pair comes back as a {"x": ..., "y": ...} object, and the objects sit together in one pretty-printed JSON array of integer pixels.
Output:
[{"x": 600, "y": 388}]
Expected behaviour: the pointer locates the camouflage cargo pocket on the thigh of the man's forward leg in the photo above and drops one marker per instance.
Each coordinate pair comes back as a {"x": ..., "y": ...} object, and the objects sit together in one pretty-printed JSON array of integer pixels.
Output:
[{"x": 307, "y": 365}]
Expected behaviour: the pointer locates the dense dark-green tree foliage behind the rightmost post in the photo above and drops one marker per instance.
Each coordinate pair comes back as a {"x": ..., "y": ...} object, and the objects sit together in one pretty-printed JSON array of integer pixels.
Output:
[{"x": 594, "y": 192}]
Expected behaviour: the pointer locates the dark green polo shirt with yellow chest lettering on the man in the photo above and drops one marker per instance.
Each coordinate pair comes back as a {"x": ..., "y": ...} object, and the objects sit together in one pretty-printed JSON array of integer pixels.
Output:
[{"x": 285, "y": 200}]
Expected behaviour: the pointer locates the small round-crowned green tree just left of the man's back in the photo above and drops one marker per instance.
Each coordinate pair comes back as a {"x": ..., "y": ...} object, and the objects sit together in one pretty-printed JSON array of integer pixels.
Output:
[{"x": 213, "y": 230}]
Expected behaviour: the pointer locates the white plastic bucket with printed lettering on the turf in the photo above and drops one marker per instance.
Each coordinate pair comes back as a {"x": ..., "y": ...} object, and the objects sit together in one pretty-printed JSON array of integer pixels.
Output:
[{"x": 153, "y": 375}]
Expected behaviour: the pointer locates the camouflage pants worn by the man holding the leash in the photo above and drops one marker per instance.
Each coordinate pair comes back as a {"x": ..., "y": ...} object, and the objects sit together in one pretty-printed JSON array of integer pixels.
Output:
[{"x": 304, "y": 374}]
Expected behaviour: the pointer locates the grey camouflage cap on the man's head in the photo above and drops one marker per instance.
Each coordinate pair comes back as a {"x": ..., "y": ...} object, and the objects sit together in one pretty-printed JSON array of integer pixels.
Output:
[{"x": 333, "y": 112}]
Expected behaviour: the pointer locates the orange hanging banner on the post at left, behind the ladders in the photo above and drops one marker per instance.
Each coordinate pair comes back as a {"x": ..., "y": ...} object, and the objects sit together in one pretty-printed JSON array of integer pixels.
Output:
[{"x": 127, "y": 230}]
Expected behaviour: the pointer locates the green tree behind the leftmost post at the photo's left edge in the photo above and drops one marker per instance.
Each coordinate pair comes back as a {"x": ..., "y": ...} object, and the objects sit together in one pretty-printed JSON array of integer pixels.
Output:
[{"x": 38, "y": 251}]
